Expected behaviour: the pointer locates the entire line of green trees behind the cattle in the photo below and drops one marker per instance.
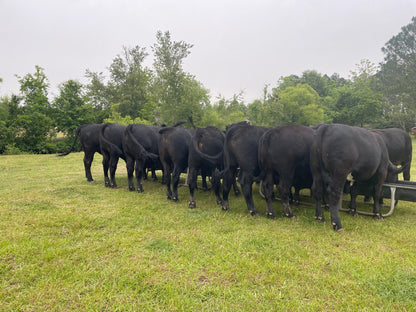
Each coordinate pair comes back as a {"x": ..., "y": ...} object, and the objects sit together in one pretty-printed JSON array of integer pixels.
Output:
[{"x": 374, "y": 96}]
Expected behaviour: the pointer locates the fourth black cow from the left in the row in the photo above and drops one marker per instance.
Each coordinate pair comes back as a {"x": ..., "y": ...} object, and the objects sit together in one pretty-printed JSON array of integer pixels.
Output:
[{"x": 173, "y": 154}]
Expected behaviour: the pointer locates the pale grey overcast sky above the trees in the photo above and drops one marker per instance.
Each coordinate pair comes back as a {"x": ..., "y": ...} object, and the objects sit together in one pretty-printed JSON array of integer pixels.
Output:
[{"x": 238, "y": 45}]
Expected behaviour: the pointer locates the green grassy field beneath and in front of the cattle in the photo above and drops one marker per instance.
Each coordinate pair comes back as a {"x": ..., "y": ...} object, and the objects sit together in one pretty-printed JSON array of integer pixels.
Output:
[{"x": 70, "y": 245}]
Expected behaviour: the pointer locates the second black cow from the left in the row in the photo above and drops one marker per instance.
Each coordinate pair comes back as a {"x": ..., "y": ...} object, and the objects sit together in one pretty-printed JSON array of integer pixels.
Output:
[{"x": 111, "y": 144}]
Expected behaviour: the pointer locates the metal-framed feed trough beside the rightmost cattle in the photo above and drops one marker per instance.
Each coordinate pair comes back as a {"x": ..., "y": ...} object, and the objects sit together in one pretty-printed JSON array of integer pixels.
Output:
[{"x": 400, "y": 190}]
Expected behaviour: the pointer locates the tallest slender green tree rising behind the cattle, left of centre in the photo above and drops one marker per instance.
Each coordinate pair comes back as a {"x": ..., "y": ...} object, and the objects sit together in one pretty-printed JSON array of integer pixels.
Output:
[{"x": 180, "y": 96}]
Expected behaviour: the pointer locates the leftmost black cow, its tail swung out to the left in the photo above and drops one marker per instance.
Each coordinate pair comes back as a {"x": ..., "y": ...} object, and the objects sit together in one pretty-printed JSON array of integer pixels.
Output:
[{"x": 89, "y": 136}]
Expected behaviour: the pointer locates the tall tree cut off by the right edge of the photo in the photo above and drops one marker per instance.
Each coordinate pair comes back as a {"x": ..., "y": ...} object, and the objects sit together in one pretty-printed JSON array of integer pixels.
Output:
[{"x": 398, "y": 75}]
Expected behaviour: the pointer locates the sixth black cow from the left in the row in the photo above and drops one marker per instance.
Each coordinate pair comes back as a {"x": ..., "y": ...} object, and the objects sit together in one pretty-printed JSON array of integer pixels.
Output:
[{"x": 241, "y": 155}]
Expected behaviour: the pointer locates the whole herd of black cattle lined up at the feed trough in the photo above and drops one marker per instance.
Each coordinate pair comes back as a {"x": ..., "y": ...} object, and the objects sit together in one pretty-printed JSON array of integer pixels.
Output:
[{"x": 320, "y": 158}]
